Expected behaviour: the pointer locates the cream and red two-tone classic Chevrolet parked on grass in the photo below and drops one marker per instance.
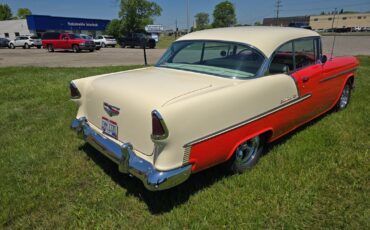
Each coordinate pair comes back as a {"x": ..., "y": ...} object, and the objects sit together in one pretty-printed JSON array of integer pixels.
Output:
[{"x": 215, "y": 96}]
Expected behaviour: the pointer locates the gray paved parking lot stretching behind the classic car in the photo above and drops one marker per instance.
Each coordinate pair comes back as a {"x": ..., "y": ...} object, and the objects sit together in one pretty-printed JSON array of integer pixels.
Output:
[{"x": 345, "y": 45}]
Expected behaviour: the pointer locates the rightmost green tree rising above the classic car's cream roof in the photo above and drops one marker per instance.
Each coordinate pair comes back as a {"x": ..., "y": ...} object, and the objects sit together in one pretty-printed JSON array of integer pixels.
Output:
[{"x": 224, "y": 15}]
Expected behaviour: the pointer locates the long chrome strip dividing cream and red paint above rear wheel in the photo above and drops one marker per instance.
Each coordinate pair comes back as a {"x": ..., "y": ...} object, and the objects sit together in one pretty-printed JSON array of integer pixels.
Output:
[{"x": 274, "y": 110}]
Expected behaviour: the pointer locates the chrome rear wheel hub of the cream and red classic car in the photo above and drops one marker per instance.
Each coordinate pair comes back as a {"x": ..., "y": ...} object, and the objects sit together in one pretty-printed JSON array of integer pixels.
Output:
[{"x": 247, "y": 151}]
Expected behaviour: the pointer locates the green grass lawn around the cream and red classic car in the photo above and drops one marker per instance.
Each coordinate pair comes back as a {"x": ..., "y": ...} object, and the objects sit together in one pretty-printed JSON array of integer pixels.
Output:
[{"x": 317, "y": 177}]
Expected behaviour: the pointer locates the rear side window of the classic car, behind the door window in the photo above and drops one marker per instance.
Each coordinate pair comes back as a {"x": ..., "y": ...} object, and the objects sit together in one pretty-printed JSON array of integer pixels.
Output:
[{"x": 283, "y": 60}]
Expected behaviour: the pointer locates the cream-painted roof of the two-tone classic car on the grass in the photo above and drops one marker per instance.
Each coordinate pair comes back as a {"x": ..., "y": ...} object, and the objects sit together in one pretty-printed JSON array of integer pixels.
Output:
[{"x": 265, "y": 38}]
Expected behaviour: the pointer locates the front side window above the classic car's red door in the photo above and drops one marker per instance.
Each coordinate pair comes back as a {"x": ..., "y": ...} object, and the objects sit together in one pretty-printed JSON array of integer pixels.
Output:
[{"x": 305, "y": 54}]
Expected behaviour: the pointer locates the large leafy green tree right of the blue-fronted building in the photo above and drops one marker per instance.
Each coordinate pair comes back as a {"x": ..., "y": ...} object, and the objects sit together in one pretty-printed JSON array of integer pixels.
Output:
[{"x": 136, "y": 14}]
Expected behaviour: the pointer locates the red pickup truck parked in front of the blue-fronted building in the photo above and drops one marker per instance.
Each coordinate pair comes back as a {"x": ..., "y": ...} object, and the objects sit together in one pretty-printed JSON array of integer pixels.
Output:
[{"x": 65, "y": 41}]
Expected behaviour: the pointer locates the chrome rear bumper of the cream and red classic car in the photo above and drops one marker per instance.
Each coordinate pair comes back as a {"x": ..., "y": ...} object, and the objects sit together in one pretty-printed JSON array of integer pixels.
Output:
[{"x": 129, "y": 162}]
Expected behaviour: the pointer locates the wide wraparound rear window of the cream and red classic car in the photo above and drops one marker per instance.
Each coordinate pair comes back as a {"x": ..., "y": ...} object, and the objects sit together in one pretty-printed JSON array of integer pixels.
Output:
[{"x": 226, "y": 59}]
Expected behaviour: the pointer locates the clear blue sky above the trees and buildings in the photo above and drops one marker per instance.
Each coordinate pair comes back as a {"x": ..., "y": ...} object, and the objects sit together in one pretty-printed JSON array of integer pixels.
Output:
[{"x": 247, "y": 11}]
